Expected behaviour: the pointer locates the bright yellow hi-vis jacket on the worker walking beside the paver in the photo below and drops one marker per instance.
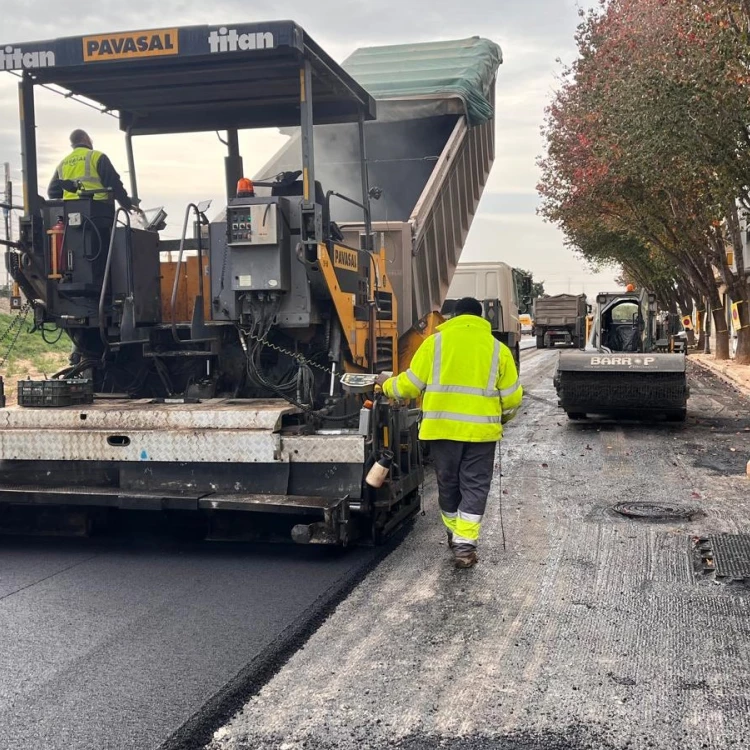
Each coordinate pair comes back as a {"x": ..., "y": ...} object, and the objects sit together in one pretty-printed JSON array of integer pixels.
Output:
[{"x": 469, "y": 381}]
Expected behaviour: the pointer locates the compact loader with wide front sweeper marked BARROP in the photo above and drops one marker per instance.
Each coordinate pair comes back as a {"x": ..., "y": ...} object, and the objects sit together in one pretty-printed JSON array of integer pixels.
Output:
[{"x": 624, "y": 371}]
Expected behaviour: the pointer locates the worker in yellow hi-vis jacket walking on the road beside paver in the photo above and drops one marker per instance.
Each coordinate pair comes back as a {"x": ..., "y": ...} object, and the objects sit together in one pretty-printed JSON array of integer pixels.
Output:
[{"x": 471, "y": 388}]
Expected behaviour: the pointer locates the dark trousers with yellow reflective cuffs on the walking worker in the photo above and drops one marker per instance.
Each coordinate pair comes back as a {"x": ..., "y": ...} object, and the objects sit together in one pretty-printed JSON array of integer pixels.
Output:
[{"x": 464, "y": 475}]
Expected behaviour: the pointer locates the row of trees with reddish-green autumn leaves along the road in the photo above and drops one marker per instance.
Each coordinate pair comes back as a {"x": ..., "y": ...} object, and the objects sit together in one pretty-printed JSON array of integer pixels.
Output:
[{"x": 647, "y": 161}]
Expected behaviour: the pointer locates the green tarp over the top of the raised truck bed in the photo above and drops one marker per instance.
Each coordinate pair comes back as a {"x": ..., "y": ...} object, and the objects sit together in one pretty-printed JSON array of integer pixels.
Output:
[{"x": 464, "y": 68}]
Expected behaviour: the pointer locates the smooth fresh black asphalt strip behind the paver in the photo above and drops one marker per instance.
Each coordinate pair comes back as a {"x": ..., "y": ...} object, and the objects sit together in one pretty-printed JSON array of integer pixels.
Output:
[{"x": 114, "y": 645}]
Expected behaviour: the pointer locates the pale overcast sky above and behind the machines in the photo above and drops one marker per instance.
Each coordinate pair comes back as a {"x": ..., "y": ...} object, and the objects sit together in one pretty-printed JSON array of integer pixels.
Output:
[{"x": 177, "y": 169}]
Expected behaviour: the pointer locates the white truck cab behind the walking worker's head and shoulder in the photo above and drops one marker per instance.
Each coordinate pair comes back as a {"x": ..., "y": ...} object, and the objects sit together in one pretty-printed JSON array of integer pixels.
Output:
[{"x": 493, "y": 284}]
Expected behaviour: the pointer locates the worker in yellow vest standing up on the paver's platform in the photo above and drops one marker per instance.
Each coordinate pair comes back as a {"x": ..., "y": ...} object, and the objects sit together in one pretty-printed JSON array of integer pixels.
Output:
[{"x": 92, "y": 169}]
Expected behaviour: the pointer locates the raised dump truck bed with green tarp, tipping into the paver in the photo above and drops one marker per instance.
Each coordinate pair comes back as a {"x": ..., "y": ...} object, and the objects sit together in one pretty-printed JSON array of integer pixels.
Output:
[{"x": 430, "y": 152}]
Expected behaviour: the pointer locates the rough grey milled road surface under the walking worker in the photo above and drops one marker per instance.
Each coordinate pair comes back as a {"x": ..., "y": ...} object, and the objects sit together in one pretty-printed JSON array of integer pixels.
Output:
[{"x": 591, "y": 631}]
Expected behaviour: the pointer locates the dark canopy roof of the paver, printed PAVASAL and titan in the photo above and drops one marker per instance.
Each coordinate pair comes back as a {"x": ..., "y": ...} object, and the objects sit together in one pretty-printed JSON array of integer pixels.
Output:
[{"x": 196, "y": 78}]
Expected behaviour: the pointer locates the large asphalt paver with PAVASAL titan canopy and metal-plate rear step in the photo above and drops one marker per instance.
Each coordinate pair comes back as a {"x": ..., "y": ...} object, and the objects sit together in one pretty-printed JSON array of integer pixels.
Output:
[{"x": 214, "y": 382}]
